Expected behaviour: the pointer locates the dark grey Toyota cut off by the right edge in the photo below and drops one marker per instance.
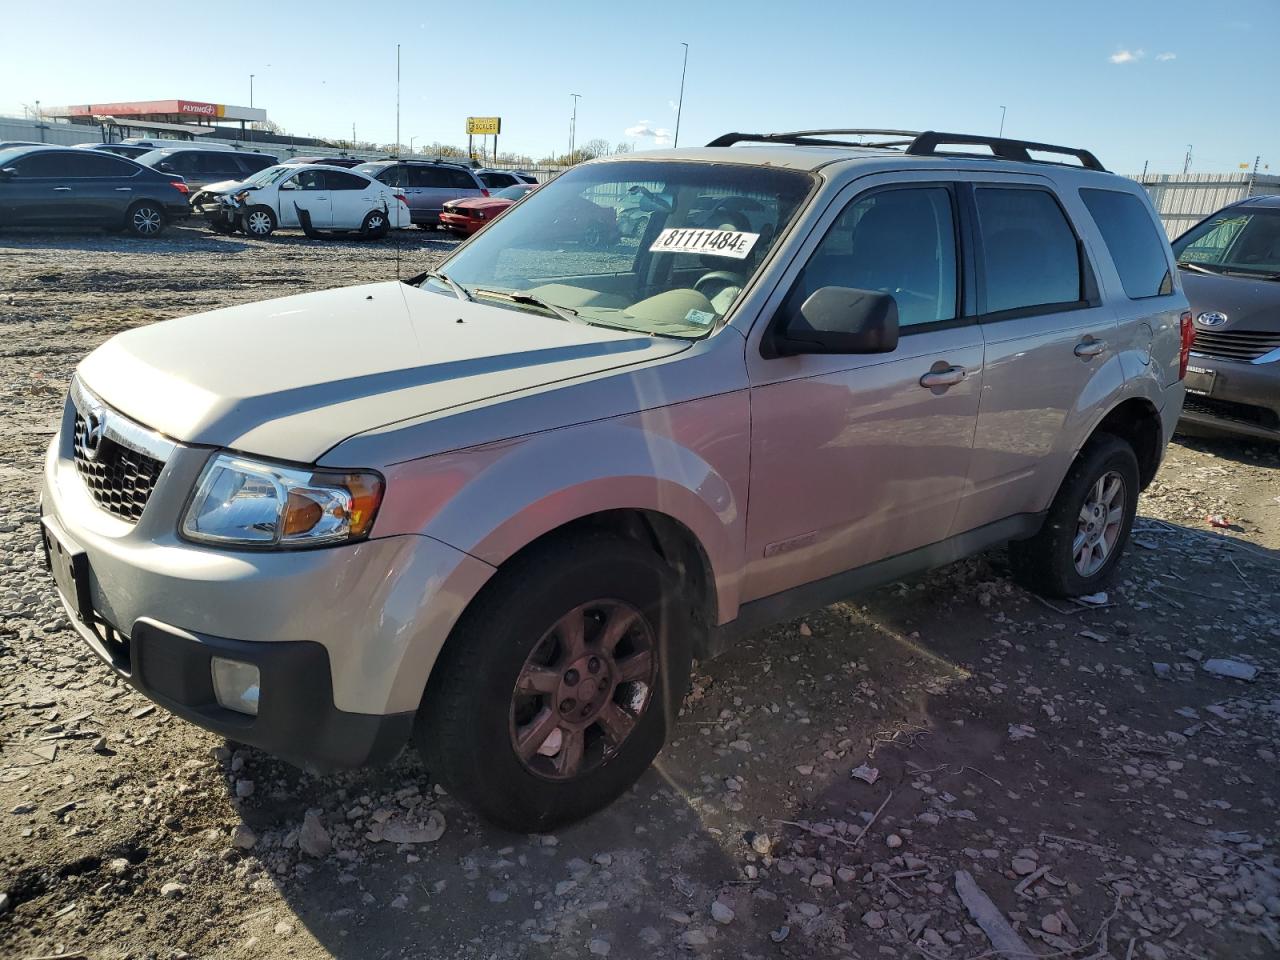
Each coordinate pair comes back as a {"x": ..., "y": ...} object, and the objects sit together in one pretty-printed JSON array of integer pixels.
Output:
[{"x": 1231, "y": 271}]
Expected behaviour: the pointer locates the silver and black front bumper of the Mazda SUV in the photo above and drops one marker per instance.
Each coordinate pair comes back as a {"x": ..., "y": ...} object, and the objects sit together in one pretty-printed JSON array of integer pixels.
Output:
[{"x": 345, "y": 638}]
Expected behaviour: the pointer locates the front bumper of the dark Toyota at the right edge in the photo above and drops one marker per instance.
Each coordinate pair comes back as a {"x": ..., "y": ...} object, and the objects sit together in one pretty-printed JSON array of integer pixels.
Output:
[{"x": 1244, "y": 399}]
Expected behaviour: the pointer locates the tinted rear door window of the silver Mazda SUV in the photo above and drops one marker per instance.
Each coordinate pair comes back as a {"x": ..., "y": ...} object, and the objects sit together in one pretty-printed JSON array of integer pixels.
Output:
[{"x": 1031, "y": 257}]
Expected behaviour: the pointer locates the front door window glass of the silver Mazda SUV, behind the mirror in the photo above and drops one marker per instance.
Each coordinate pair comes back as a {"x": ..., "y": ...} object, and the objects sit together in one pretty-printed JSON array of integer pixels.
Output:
[{"x": 897, "y": 241}]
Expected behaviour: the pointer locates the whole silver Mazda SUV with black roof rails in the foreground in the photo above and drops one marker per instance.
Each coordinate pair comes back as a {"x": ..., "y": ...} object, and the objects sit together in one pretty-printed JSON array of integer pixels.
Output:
[{"x": 499, "y": 509}]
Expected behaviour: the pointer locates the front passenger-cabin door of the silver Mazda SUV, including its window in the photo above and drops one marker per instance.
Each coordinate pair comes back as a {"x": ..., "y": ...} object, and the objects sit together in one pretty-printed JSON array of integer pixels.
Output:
[{"x": 857, "y": 459}]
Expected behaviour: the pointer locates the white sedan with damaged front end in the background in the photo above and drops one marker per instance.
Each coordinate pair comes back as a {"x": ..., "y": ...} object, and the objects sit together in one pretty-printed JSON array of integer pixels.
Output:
[{"x": 316, "y": 198}]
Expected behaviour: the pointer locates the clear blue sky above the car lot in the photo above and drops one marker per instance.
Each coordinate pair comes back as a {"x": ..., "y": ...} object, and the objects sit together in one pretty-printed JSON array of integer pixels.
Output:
[{"x": 1136, "y": 81}]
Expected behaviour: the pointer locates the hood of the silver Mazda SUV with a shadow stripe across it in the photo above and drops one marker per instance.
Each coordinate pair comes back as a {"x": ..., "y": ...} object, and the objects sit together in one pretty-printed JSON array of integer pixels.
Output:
[{"x": 291, "y": 378}]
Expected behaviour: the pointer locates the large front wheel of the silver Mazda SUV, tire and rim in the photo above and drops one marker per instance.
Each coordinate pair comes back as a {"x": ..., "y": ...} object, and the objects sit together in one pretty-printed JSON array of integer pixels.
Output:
[{"x": 473, "y": 719}]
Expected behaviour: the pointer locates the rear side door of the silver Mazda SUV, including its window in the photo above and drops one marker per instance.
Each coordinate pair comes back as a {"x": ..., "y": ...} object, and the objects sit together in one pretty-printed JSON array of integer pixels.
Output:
[{"x": 1050, "y": 345}]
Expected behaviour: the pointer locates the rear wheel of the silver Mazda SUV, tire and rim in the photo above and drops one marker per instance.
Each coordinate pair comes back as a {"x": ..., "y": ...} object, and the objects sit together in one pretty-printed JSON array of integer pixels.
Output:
[{"x": 1054, "y": 563}]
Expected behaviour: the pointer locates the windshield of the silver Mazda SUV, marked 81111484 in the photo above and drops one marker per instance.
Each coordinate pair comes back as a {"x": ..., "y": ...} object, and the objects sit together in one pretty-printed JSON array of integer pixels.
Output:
[{"x": 656, "y": 246}]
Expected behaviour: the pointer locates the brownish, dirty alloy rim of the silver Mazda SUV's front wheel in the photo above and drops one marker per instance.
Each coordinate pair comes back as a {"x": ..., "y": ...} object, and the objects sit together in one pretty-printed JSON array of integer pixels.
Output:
[{"x": 583, "y": 691}]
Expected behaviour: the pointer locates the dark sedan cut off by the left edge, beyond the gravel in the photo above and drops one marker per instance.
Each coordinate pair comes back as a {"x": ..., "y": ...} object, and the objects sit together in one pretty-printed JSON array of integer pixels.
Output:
[{"x": 47, "y": 186}]
